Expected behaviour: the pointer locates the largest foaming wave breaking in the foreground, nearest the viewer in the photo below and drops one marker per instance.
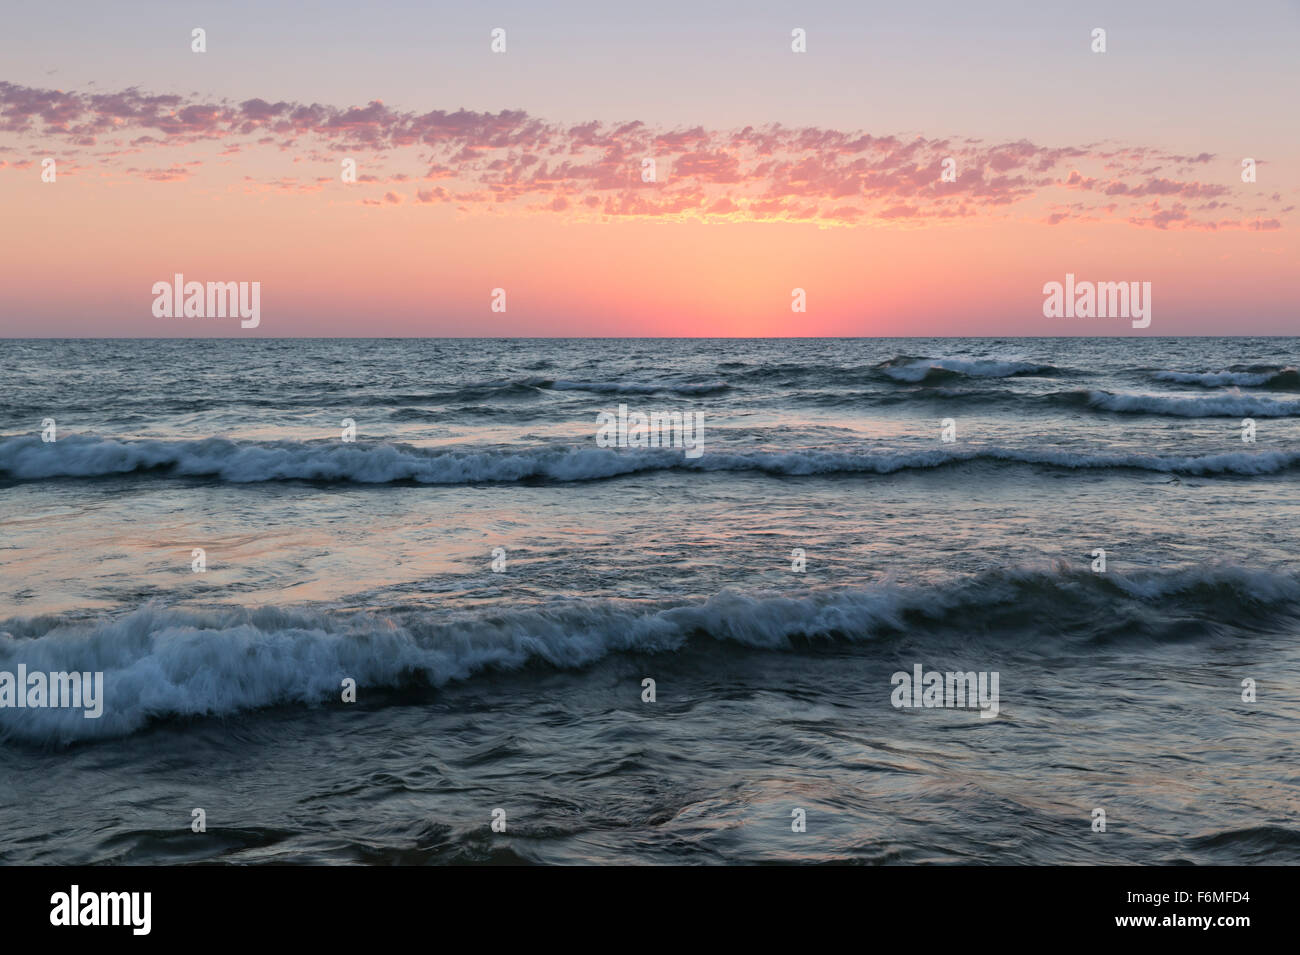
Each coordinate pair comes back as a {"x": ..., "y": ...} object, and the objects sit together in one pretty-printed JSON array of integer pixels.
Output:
[{"x": 170, "y": 663}]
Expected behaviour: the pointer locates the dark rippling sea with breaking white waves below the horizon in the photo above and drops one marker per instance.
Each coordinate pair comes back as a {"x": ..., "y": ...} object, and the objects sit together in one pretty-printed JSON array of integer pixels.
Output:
[{"x": 522, "y": 689}]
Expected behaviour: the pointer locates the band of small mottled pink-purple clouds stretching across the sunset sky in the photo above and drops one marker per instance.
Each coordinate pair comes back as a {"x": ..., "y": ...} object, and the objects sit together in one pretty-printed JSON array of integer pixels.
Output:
[{"x": 510, "y": 160}]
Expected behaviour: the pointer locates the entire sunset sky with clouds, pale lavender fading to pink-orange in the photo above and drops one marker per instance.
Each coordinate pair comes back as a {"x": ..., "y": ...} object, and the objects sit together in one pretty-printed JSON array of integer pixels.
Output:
[{"x": 920, "y": 170}]
